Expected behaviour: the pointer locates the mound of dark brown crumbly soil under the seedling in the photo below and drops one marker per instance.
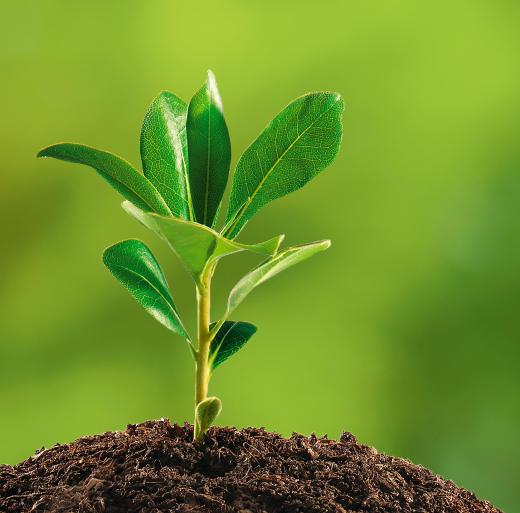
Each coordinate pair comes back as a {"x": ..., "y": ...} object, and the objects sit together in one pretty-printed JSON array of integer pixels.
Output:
[{"x": 155, "y": 468}]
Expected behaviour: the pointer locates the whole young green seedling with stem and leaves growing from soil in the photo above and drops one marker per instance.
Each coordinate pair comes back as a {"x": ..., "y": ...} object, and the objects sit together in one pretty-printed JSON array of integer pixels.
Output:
[{"x": 186, "y": 154}]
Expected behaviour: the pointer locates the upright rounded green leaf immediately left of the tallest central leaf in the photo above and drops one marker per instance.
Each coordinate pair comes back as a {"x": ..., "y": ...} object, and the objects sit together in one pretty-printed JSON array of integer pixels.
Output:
[{"x": 164, "y": 152}]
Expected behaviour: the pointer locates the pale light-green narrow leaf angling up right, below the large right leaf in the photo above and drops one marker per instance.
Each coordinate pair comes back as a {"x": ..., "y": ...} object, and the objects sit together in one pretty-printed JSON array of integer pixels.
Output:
[{"x": 269, "y": 268}]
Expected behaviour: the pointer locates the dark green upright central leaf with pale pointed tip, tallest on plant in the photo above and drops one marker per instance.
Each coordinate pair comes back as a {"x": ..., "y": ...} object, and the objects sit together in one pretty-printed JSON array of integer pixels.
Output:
[{"x": 209, "y": 151}]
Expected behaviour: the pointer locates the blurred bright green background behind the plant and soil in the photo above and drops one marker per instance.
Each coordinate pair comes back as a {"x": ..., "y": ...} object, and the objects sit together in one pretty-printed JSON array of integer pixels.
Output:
[{"x": 405, "y": 333}]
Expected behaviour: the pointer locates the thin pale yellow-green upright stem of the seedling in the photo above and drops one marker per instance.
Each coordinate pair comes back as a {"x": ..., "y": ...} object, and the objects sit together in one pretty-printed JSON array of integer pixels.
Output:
[{"x": 204, "y": 339}]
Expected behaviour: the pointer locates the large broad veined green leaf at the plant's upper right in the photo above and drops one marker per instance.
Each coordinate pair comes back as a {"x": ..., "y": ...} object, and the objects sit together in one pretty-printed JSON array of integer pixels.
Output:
[{"x": 300, "y": 142}]
